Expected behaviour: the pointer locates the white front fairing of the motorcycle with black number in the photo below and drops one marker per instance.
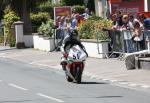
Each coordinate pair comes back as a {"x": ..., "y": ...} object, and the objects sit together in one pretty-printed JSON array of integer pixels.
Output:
[{"x": 76, "y": 54}]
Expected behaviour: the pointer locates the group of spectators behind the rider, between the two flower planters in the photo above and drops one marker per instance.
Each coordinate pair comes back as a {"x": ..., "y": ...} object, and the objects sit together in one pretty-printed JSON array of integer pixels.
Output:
[{"x": 66, "y": 23}]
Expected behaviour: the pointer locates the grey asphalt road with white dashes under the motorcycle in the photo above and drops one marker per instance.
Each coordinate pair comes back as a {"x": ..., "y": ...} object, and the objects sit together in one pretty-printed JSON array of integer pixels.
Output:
[{"x": 25, "y": 83}]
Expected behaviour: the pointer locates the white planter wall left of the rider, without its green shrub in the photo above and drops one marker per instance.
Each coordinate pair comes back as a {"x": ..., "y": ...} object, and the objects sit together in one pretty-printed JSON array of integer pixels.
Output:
[{"x": 43, "y": 43}]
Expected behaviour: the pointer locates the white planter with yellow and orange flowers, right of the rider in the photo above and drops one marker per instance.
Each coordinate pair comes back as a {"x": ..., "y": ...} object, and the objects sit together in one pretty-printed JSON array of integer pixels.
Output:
[{"x": 94, "y": 38}]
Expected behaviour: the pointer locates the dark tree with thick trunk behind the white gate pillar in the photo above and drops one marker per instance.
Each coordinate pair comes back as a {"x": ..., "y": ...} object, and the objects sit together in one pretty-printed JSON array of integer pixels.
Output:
[{"x": 22, "y": 8}]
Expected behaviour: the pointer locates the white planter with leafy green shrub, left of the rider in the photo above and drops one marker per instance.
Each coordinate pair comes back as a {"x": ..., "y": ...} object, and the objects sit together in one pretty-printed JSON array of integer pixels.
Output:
[{"x": 44, "y": 40}]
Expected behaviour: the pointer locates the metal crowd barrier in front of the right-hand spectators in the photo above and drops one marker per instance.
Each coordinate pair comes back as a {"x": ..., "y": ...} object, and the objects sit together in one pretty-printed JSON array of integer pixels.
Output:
[{"x": 121, "y": 41}]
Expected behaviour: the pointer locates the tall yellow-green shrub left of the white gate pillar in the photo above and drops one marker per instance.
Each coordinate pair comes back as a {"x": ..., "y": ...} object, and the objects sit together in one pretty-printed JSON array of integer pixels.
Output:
[{"x": 9, "y": 18}]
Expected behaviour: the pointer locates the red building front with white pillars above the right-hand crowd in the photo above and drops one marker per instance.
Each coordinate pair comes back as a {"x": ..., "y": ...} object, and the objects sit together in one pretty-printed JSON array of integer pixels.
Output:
[{"x": 105, "y": 7}]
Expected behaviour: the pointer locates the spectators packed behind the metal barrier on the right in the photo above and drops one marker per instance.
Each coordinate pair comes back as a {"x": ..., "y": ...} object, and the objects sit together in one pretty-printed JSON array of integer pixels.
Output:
[{"x": 135, "y": 23}]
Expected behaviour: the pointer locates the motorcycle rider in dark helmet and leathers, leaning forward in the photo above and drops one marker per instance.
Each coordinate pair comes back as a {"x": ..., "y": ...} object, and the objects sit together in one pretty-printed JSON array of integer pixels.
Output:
[{"x": 70, "y": 40}]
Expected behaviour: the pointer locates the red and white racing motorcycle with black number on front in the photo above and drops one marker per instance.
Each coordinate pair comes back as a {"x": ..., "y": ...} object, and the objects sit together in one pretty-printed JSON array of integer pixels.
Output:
[{"x": 74, "y": 65}]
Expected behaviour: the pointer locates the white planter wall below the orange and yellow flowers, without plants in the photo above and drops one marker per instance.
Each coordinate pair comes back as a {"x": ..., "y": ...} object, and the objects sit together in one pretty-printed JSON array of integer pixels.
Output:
[{"x": 96, "y": 49}]
